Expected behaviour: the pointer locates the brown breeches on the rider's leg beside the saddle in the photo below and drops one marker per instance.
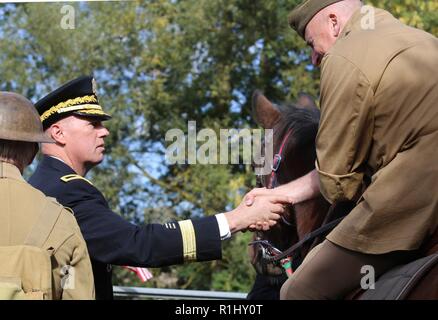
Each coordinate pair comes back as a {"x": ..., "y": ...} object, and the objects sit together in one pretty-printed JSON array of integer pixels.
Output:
[{"x": 332, "y": 272}]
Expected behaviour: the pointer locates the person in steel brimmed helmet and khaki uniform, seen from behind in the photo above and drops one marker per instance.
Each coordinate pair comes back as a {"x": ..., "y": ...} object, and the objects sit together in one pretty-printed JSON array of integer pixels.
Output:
[{"x": 30, "y": 221}]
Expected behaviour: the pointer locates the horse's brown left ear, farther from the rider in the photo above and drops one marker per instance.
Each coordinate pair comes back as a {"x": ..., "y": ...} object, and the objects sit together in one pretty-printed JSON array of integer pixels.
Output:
[{"x": 264, "y": 112}]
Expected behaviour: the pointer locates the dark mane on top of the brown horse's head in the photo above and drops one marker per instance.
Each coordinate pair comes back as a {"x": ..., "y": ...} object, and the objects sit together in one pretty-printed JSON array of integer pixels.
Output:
[{"x": 303, "y": 122}]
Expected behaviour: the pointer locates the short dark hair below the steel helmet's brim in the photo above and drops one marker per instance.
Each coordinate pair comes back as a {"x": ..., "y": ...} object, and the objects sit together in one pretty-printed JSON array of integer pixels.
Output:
[{"x": 18, "y": 152}]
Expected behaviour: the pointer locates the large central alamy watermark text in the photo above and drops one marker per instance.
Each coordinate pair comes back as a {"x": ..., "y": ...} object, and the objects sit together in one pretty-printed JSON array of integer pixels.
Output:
[{"x": 205, "y": 147}]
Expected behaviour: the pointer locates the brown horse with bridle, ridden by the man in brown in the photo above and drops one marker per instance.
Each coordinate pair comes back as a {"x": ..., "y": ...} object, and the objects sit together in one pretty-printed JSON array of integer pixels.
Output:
[{"x": 294, "y": 133}]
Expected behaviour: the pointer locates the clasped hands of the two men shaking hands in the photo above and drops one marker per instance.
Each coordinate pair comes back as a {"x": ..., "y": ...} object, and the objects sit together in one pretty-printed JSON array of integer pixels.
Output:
[{"x": 259, "y": 210}]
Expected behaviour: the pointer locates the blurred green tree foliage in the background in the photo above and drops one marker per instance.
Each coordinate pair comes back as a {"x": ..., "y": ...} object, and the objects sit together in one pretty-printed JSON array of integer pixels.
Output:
[{"x": 160, "y": 64}]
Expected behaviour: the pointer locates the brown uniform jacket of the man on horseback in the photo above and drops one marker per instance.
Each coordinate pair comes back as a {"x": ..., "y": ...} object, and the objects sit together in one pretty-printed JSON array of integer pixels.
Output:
[{"x": 378, "y": 138}]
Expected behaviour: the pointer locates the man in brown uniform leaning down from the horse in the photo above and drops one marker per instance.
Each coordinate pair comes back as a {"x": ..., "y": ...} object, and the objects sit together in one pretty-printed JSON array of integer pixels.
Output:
[{"x": 376, "y": 144}]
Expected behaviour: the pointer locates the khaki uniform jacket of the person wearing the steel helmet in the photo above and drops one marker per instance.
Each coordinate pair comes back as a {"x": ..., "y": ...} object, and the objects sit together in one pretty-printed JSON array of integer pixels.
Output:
[{"x": 20, "y": 208}]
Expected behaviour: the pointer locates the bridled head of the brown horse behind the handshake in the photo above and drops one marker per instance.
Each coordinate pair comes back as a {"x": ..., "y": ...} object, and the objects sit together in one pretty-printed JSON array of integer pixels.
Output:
[{"x": 294, "y": 133}]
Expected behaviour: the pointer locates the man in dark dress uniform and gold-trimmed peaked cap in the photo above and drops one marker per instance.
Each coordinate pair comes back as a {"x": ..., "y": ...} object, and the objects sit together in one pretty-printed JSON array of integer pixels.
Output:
[{"x": 72, "y": 116}]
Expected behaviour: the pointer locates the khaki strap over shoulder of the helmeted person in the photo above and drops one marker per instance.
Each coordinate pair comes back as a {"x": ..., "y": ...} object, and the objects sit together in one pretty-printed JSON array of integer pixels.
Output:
[{"x": 45, "y": 223}]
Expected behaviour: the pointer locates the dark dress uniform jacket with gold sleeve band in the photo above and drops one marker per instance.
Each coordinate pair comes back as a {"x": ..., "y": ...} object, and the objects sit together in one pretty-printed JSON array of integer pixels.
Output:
[{"x": 112, "y": 240}]
